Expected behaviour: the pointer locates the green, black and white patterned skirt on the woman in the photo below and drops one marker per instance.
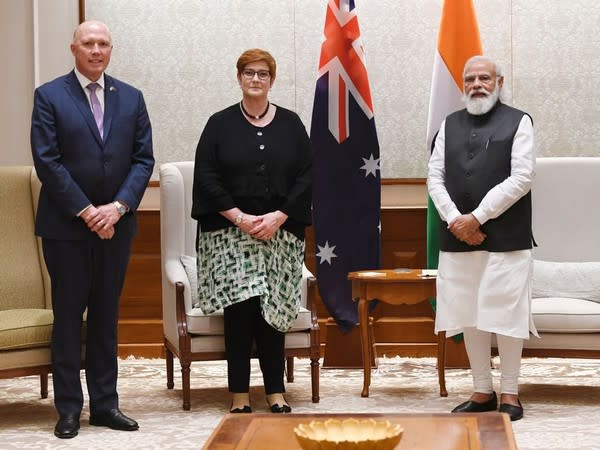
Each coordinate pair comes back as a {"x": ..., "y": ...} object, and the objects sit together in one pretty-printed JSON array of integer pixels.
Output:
[{"x": 233, "y": 267}]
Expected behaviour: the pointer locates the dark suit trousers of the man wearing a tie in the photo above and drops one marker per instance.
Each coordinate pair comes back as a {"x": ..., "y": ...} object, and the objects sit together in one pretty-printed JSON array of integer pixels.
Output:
[{"x": 86, "y": 274}]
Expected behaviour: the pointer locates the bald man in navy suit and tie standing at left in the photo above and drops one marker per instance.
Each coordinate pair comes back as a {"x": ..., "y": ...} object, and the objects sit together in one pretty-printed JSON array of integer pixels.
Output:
[{"x": 92, "y": 150}]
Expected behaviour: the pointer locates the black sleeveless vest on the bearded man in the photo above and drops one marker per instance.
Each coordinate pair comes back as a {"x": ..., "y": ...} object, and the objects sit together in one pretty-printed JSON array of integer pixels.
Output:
[{"x": 477, "y": 158}]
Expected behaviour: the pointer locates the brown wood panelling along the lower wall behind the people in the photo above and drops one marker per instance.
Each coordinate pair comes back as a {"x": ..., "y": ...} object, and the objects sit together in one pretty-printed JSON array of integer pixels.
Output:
[{"x": 398, "y": 330}]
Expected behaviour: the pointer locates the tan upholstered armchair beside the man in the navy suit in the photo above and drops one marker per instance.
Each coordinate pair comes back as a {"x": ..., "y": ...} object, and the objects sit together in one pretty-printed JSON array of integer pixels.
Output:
[{"x": 25, "y": 304}]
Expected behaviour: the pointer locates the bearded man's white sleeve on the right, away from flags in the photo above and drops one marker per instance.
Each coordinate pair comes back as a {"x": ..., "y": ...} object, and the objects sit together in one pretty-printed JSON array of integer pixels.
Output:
[{"x": 508, "y": 192}]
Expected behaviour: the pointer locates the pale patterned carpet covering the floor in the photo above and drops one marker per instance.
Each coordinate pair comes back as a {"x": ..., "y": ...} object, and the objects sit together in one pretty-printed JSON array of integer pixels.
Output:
[{"x": 561, "y": 398}]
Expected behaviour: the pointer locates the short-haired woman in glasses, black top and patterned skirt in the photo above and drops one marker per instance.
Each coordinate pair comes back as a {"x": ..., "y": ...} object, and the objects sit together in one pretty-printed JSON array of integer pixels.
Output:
[{"x": 252, "y": 201}]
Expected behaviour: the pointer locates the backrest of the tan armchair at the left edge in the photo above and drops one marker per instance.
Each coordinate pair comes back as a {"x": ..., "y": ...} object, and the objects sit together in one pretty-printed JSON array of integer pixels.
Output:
[{"x": 21, "y": 266}]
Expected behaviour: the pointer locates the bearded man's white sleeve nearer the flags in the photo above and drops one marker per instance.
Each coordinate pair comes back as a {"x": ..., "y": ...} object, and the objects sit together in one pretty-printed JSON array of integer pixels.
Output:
[{"x": 436, "y": 179}]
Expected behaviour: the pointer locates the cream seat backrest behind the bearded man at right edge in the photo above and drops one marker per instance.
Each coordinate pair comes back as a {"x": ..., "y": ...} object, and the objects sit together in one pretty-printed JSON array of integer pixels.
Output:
[{"x": 566, "y": 211}]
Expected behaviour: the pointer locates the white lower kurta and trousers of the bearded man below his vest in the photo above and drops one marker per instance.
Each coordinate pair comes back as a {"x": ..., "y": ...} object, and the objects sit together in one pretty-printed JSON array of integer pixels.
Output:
[{"x": 480, "y": 293}]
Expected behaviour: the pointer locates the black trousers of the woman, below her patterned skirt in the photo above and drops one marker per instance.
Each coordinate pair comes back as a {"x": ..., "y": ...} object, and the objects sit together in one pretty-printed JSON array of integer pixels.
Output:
[{"x": 244, "y": 325}]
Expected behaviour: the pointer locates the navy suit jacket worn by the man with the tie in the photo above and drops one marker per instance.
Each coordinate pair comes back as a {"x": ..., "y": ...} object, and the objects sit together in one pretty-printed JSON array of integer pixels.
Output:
[{"x": 76, "y": 166}]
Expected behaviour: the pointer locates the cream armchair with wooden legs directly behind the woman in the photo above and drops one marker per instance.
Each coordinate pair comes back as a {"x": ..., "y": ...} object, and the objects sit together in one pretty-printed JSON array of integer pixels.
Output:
[{"x": 189, "y": 334}]
